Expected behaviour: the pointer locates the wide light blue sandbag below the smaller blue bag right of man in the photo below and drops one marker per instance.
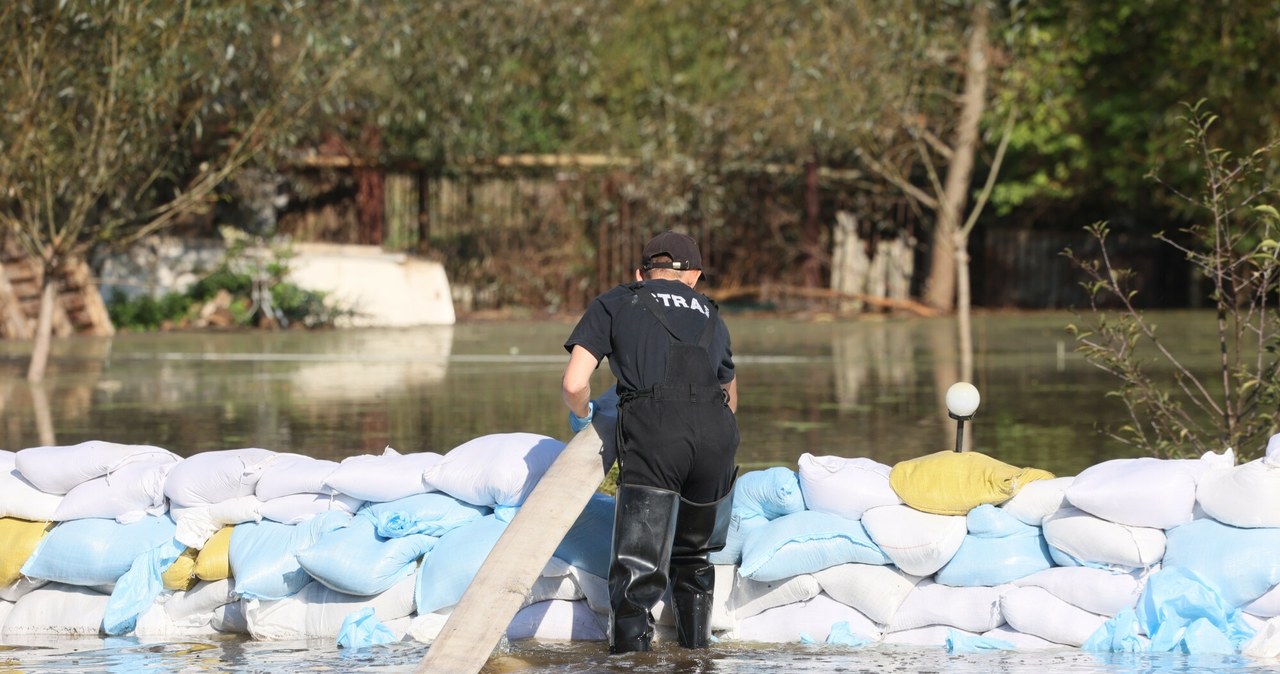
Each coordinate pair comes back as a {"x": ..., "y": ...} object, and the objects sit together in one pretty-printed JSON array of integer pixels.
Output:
[{"x": 807, "y": 543}]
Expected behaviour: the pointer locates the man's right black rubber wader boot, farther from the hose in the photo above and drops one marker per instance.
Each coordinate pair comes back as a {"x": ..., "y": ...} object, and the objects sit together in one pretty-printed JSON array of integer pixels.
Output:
[{"x": 701, "y": 530}]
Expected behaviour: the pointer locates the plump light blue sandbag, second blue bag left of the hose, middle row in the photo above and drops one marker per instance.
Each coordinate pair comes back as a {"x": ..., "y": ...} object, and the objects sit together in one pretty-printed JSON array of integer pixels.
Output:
[{"x": 356, "y": 561}]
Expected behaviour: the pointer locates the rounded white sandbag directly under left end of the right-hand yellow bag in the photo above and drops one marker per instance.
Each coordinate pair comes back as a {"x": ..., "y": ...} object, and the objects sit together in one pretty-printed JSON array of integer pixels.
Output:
[{"x": 918, "y": 543}]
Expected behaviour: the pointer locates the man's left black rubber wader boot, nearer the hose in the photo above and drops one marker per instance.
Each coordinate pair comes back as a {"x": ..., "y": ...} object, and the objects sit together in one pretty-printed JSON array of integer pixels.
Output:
[{"x": 644, "y": 525}]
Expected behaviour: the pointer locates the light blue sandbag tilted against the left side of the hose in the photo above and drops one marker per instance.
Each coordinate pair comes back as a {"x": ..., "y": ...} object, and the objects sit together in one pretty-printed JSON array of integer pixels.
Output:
[{"x": 454, "y": 563}]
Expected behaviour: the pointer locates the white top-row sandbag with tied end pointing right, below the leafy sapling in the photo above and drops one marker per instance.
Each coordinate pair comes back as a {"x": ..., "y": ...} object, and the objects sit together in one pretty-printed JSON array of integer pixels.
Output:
[{"x": 1145, "y": 492}]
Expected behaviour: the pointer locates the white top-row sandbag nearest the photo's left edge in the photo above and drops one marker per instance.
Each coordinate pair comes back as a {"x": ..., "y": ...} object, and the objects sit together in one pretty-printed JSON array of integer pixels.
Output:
[{"x": 58, "y": 469}]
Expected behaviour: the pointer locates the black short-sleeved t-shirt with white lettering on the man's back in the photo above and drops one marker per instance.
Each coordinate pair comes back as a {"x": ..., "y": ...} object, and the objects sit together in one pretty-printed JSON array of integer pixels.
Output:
[{"x": 616, "y": 327}]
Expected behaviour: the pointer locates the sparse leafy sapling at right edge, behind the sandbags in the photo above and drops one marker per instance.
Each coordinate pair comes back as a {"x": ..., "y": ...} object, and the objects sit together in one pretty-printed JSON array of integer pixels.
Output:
[{"x": 1177, "y": 409}]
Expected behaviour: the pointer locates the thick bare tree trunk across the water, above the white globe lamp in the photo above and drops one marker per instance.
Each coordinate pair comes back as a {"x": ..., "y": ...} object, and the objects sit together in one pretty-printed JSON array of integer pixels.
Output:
[{"x": 941, "y": 286}]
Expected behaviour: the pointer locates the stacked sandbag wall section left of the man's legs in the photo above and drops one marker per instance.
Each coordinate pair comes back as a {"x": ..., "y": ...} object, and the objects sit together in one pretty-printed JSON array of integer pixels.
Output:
[{"x": 113, "y": 539}]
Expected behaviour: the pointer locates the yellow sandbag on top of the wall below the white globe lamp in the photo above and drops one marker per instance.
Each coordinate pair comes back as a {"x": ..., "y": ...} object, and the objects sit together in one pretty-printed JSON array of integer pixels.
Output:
[{"x": 956, "y": 483}]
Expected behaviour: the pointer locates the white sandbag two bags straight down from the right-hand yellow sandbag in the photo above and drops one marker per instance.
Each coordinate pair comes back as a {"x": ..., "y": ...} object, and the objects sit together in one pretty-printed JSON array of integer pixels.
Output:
[{"x": 973, "y": 609}]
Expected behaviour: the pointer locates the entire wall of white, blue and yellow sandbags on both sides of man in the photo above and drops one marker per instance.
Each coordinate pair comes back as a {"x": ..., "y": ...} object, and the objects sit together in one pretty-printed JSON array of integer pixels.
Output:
[{"x": 956, "y": 551}]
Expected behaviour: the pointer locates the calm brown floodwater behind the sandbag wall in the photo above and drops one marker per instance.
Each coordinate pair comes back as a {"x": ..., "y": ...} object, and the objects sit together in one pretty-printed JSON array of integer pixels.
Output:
[{"x": 871, "y": 388}]
